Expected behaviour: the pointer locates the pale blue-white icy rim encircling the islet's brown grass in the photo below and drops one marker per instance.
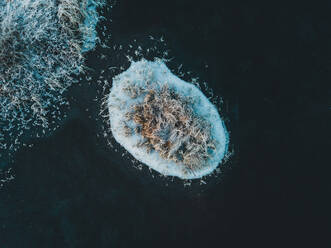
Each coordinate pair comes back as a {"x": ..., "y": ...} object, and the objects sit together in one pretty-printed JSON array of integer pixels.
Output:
[{"x": 148, "y": 74}]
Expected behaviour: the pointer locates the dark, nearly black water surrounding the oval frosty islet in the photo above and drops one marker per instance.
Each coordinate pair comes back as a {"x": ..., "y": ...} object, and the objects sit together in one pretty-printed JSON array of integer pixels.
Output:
[{"x": 271, "y": 64}]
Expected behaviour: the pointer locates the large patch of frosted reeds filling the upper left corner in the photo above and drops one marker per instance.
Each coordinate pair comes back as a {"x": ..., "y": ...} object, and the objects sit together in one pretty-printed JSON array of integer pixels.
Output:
[{"x": 42, "y": 43}]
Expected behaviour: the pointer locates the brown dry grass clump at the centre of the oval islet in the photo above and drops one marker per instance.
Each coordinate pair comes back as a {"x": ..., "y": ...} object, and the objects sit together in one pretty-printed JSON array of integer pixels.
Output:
[{"x": 169, "y": 126}]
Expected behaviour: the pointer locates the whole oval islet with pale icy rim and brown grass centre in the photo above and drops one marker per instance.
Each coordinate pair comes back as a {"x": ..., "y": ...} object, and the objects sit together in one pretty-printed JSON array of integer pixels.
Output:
[{"x": 165, "y": 122}]
